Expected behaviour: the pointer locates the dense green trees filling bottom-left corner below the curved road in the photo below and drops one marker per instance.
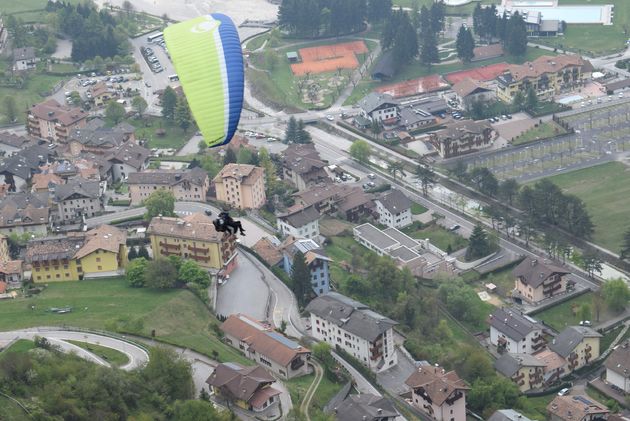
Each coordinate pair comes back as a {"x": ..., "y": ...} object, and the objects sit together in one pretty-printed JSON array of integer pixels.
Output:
[{"x": 58, "y": 386}]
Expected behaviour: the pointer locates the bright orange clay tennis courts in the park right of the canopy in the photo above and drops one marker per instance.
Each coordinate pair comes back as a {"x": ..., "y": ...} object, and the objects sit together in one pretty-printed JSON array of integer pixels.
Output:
[{"x": 329, "y": 58}]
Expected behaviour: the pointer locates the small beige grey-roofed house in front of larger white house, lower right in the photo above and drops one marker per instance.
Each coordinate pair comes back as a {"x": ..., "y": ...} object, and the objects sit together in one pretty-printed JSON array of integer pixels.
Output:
[{"x": 525, "y": 370}]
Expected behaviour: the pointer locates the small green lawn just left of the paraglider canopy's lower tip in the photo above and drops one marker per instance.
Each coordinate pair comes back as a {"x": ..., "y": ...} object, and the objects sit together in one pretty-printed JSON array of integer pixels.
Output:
[{"x": 173, "y": 136}]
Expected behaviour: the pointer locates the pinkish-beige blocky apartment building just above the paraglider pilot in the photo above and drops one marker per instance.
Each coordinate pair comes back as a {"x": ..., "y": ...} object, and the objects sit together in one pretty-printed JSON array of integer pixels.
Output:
[{"x": 241, "y": 185}]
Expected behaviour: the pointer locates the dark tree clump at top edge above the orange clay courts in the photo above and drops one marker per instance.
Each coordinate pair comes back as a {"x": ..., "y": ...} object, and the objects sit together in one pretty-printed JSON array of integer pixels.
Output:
[{"x": 314, "y": 18}]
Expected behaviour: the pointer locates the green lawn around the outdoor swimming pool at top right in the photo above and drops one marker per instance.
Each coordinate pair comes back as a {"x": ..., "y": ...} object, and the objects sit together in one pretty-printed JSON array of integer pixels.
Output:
[{"x": 594, "y": 40}]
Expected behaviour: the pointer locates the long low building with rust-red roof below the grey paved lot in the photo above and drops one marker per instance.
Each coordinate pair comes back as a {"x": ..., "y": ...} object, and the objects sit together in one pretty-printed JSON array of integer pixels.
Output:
[{"x": 270, "y": 349}]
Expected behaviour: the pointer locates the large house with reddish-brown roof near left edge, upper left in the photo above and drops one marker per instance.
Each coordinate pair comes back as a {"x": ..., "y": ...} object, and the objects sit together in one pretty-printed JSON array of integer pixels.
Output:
[{"x": 53, "y": 121}]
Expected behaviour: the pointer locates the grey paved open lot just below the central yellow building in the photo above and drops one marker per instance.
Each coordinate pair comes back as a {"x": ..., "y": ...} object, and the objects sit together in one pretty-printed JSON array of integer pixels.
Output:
[{"x": 245, "y": 292}]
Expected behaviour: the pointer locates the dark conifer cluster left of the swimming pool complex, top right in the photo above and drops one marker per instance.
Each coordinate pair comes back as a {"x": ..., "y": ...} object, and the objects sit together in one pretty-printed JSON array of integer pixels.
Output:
[{"x": 511, "y": 30}]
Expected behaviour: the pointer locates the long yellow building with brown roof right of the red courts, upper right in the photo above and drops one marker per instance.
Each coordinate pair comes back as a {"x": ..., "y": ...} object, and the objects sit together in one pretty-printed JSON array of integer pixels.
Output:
[{"x": 548, "y": 75}]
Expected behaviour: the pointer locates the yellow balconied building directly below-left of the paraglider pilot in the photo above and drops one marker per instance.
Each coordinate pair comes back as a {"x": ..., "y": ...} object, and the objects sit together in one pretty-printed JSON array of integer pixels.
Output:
[{"x": 193, "y": 237}]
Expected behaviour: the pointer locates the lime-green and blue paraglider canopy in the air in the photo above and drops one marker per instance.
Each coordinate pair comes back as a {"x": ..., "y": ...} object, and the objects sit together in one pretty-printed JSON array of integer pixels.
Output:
[{"x": 206, "y": 52}]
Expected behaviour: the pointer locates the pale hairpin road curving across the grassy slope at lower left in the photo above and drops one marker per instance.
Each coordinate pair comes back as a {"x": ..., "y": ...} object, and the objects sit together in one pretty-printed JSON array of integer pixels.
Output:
[{"x": 136, "y": 355}]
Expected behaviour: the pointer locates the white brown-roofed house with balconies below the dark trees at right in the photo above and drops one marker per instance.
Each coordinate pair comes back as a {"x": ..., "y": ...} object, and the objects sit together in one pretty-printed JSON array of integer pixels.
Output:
[{"x": 537, "y": 280}]
